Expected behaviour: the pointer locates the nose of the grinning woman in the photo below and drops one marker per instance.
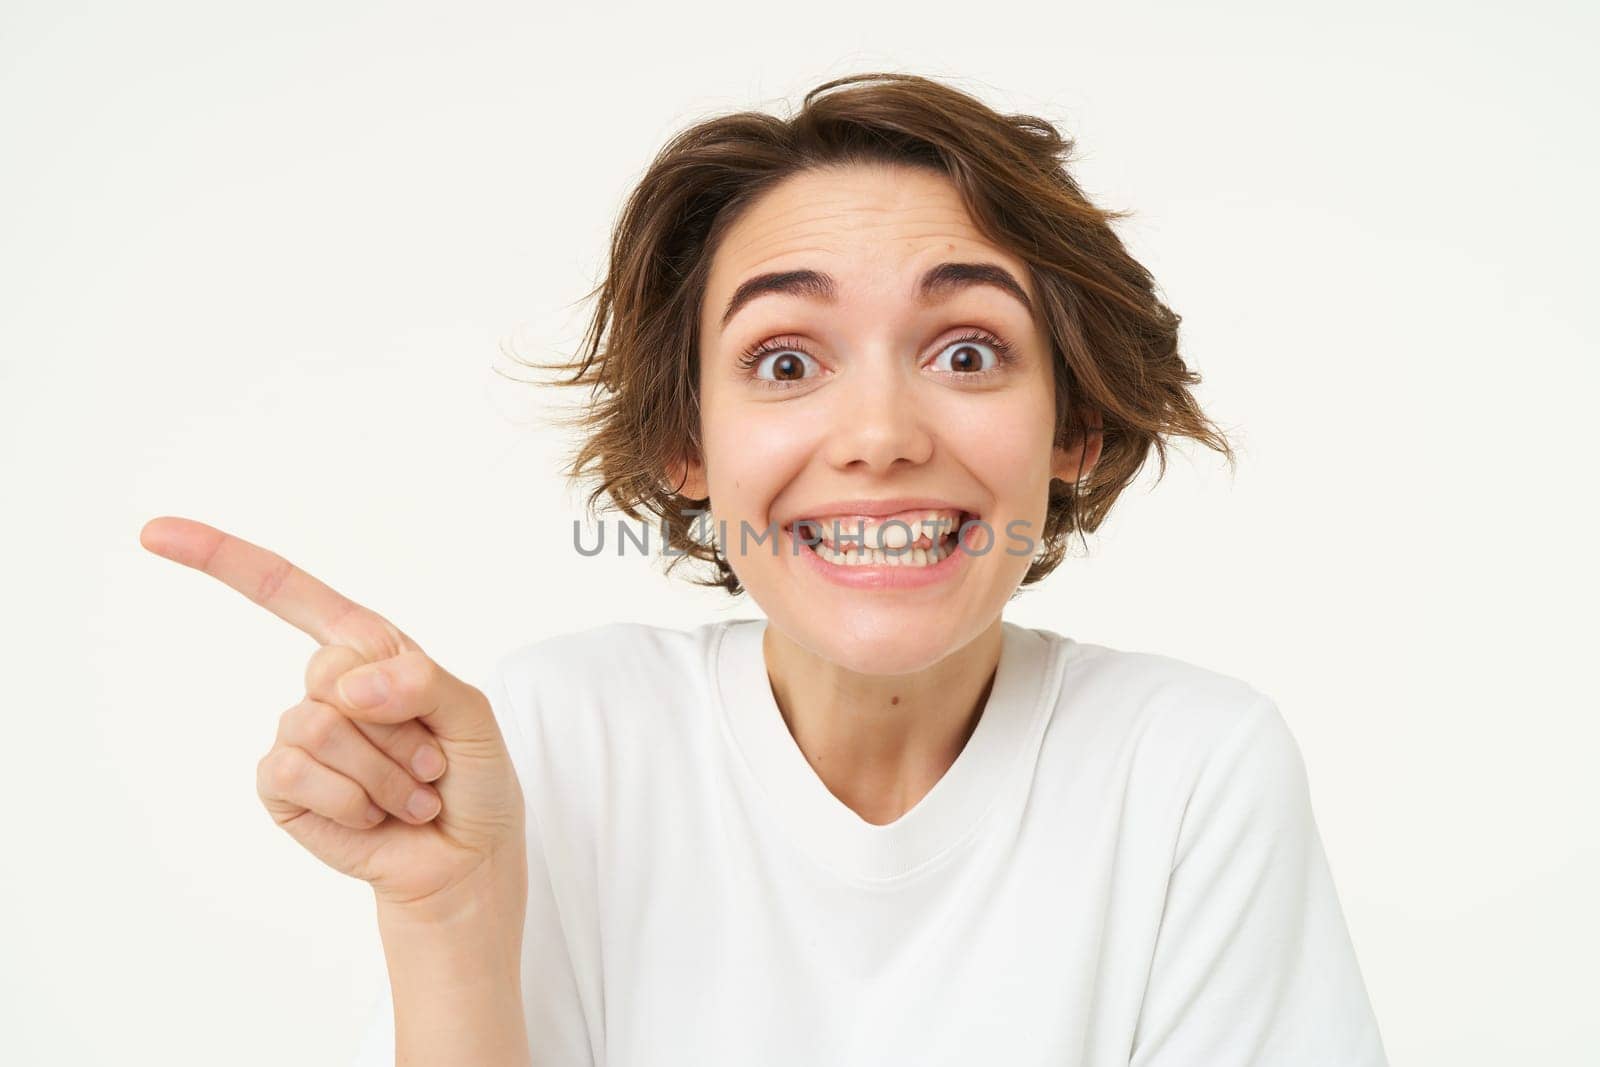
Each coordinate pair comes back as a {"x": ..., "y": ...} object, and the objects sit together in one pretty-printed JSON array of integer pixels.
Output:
[{"x": 876, "y": 420}]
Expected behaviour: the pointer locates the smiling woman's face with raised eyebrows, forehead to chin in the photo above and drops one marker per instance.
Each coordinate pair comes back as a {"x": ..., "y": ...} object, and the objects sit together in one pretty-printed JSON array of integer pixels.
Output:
[{"x": 860, "y": 391}]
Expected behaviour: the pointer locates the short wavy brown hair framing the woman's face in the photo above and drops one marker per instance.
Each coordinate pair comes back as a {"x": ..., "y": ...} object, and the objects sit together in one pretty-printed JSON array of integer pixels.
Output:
[{"x": 1118, "y": 370}]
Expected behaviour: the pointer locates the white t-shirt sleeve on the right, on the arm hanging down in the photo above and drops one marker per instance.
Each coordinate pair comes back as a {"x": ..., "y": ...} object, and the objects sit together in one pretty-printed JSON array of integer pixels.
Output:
[{"x": 1254, "y": 962}]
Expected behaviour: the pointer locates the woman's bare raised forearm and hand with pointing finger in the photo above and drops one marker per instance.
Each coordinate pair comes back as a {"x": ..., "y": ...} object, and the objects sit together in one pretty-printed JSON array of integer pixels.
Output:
[{"x": 450, "y": 877}]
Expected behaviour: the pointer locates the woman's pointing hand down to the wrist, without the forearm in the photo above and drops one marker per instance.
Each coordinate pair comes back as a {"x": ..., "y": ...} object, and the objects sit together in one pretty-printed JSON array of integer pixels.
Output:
[{"x": 391, "y": 770}]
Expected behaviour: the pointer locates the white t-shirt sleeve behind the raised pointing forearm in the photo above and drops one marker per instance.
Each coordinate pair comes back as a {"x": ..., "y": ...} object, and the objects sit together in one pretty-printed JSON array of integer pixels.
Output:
[{"x": 558, "y": 1029}]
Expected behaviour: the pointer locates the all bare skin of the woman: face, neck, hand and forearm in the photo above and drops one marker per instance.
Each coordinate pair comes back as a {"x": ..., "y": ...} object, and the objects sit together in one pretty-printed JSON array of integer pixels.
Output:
[{"x": 410, "y": 788}]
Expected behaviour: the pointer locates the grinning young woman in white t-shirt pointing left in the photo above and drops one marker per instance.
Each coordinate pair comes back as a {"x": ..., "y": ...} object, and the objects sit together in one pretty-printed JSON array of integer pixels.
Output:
[{"x": 895, "y": 358}]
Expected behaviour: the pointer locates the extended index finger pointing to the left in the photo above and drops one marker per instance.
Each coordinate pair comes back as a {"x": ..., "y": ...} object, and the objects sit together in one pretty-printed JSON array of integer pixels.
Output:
[{"x": 276, "y": 585}]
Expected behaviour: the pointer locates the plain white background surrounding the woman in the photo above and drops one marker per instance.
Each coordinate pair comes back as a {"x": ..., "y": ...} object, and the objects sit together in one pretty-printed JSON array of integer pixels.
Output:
[{"x": 258, "y": 266}]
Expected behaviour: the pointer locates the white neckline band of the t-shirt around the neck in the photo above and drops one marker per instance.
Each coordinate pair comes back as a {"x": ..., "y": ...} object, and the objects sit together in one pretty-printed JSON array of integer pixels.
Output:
[{"x": 943, "y": 820}]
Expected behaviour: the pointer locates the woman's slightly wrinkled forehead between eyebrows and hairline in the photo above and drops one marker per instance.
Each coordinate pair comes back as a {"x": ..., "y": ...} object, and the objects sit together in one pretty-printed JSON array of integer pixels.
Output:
[{"x": 871, "y": 226}]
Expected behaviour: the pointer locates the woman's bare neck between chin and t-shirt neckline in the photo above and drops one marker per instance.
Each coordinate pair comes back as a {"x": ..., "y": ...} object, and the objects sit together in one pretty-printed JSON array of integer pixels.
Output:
[{"x": 881, "y": 743}]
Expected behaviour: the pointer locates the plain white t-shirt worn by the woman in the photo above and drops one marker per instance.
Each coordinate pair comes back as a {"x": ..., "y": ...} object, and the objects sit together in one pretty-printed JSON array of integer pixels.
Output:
[{"x": 1121, "y": 868}]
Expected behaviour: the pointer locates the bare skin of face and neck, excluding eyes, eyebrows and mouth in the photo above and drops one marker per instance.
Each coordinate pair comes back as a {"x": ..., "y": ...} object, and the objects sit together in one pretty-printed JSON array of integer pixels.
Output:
[{"x": 881, "y": 689}]
